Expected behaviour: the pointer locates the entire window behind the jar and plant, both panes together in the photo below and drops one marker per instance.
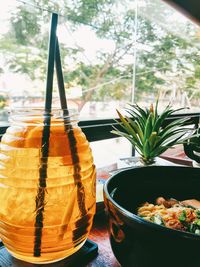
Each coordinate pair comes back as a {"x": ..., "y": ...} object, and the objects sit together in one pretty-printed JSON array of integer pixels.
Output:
[{"x": 113, "y": 52}]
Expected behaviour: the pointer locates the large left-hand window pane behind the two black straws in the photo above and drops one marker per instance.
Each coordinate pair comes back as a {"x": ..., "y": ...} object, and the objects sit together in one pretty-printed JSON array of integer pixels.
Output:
[{"x": 96, "y": 47}]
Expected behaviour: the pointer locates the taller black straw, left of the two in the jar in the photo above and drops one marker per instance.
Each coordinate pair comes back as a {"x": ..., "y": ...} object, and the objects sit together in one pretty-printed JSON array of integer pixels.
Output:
[{"x": 40, "y": 198}]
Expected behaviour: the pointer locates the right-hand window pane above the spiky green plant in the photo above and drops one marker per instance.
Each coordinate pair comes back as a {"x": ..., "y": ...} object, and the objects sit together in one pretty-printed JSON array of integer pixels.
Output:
[{"x": 167, "y": 56}]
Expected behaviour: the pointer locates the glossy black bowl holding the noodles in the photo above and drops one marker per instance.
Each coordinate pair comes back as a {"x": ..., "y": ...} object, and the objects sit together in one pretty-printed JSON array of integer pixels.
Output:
[{"x": 139, "y": 243}]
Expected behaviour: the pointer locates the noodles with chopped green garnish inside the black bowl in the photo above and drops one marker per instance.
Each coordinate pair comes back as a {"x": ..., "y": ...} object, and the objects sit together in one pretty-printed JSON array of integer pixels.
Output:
[{"x": 177, "y": 215}]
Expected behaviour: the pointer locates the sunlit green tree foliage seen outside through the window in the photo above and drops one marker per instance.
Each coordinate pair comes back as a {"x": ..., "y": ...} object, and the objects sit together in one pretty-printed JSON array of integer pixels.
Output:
[{"x": 25, "y": 48}]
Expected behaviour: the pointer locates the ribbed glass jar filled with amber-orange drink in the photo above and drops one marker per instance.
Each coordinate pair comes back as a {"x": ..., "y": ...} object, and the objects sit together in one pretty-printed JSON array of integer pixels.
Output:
[{"x": 47, "y": 186}]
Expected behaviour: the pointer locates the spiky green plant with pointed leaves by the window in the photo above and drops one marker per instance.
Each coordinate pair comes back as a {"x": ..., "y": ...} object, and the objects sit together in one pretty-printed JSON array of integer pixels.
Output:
[{"x": 143, "y": 127}]
